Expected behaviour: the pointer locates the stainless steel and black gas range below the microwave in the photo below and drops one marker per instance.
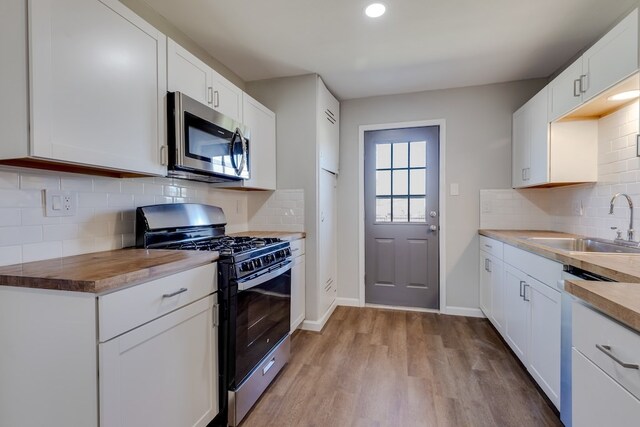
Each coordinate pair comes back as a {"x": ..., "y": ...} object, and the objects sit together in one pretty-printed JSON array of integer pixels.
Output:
[{"x": 254, "y": 280}]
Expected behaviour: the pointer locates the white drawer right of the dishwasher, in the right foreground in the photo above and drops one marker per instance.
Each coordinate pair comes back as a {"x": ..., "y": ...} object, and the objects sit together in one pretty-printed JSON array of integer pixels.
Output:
[{"x": 591, "y": 328}]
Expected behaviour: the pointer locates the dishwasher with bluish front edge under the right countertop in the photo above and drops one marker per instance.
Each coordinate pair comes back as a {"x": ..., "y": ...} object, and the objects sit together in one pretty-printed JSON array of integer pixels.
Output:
[{"x": 569, "y": 273}]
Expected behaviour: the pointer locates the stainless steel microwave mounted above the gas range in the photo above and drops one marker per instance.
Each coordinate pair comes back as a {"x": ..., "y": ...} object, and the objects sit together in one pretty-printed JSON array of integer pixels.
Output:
[{"x": 205, "y": 145}]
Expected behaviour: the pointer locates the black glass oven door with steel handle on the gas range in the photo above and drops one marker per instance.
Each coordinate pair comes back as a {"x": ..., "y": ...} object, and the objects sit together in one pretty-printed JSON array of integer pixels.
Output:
[{"x": 262, "y": 320}]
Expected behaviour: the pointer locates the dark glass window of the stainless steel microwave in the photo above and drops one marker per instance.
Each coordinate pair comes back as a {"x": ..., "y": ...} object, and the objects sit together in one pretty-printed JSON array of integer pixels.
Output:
[{"x": 206, "y": 141}]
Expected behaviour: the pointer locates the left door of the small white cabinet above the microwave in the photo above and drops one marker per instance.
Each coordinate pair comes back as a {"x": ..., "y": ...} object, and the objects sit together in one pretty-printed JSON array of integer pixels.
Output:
[{"x": 188, "y": 74}]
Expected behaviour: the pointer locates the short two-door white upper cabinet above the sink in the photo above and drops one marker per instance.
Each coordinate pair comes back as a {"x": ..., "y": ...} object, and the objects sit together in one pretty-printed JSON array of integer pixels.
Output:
[{"x": 613, "y": 58}]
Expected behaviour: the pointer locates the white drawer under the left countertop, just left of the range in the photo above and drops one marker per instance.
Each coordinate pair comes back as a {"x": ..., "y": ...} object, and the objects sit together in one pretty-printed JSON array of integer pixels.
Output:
[{"x": 129, "y": 308}]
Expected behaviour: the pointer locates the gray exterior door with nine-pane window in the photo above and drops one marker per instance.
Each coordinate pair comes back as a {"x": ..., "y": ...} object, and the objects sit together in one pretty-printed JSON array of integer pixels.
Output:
[{"x": 402, "y": 217}]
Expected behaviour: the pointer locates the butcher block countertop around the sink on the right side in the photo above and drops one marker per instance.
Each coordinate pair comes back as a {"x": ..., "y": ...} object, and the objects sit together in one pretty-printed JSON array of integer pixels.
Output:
[{"x": 618, "y": 300}]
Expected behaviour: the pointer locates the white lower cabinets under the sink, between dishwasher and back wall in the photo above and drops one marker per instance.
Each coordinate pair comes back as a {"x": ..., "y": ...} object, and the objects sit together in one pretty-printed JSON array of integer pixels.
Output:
[{"x": 524, "y": 307}]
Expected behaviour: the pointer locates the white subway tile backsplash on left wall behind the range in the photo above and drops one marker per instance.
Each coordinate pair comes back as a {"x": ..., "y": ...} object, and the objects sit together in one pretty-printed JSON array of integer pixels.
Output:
[{"x": 105, "y": 218}]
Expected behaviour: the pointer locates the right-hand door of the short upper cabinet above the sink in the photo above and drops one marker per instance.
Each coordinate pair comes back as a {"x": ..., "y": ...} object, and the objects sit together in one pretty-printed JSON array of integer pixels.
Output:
[{"x": 613, "y": 58}]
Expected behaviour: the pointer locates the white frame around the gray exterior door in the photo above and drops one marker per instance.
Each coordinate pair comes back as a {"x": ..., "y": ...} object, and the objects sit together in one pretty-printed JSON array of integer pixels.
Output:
[{"x": 441, "y": 200}]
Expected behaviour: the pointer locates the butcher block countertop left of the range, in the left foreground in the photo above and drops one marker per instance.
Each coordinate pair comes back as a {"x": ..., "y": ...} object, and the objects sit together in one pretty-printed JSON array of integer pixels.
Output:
[{"x": 101, "y": 272}]
